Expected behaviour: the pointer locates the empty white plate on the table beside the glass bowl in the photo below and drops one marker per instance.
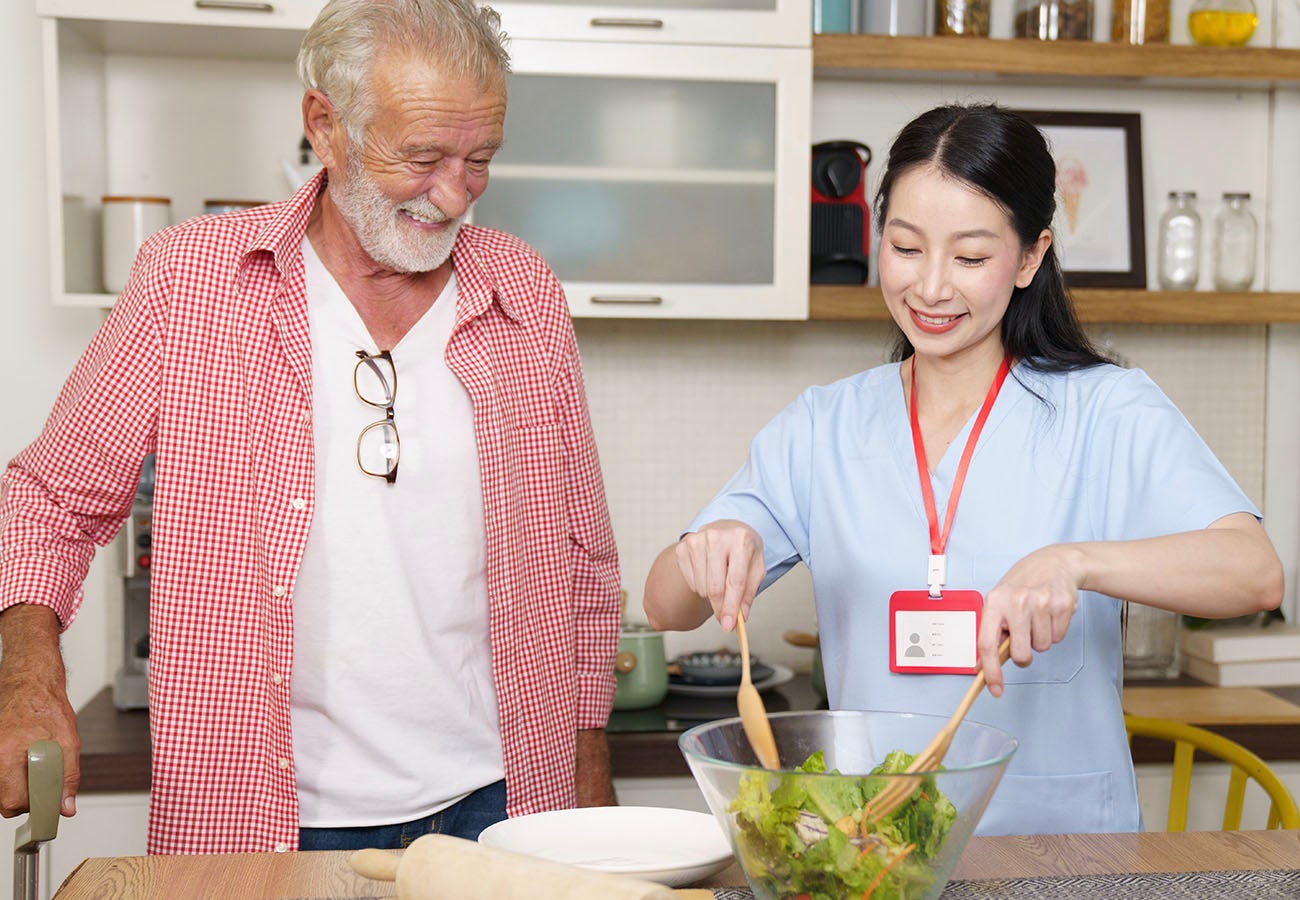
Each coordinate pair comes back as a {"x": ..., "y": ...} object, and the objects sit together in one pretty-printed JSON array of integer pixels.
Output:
[{"x": 674, "y": 847}]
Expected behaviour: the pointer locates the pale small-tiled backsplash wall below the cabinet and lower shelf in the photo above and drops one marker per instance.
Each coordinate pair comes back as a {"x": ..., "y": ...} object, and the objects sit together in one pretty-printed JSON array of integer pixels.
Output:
[{"x": 675, "y": 405}]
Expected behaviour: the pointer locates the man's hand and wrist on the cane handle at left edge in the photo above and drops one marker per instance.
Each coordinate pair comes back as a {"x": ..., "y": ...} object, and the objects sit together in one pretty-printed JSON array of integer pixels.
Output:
[{"x": 33, "y": 704}]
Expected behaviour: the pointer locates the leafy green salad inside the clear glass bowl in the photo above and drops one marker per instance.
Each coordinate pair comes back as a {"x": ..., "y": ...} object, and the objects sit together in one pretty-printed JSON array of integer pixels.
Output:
[{"x": 805, "y": 840}]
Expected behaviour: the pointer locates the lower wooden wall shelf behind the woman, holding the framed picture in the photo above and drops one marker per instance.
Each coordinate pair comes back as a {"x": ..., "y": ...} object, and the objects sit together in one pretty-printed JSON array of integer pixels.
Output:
[{"x": 1095, "y": 305}]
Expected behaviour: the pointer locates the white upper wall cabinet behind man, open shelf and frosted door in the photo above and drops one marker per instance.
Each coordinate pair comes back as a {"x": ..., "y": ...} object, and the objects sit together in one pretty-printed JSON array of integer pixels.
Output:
[{"x": 661, "y": 180}]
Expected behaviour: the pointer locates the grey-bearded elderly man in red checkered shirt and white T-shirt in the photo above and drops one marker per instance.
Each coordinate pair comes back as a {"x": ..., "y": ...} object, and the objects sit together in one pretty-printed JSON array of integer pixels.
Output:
[{"x": 384, "y": 581}]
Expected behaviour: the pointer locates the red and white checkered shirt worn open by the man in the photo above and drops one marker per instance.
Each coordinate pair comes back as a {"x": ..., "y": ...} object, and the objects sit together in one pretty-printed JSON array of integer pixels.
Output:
[{"x": 206, "y": 361}]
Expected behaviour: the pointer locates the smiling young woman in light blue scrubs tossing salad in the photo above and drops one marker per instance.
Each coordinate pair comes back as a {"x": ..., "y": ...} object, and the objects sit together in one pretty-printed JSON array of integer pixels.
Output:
[{"x": 998, "y": 479}]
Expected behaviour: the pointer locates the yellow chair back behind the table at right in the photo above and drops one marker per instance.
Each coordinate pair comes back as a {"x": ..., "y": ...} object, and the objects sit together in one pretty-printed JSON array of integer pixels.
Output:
[{"x": 1188, "y": 739}]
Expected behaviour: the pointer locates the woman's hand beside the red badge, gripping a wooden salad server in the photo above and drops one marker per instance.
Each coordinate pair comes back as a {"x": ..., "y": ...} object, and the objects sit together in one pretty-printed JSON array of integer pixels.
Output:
[{"x": 1034, "y": 604}]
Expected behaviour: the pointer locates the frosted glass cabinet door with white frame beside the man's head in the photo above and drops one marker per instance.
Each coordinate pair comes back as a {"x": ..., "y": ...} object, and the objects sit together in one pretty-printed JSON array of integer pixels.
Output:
[{"x": 660, "y": 181}]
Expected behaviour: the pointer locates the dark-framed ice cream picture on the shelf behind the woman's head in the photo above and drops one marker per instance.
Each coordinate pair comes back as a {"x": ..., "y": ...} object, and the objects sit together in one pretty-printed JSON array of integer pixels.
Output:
[{"x": 1100, "y": 231}]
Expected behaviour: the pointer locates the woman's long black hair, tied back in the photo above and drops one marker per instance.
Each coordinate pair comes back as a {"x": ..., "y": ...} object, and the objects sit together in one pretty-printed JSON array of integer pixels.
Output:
[{"x": 1006, "y": 158}]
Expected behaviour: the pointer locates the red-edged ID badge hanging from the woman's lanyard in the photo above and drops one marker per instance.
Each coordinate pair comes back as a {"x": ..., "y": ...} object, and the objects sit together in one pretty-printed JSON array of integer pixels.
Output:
[{"x": 934, "y": 637}]
